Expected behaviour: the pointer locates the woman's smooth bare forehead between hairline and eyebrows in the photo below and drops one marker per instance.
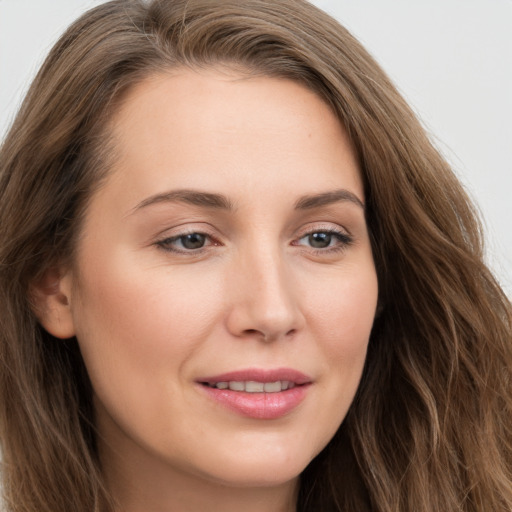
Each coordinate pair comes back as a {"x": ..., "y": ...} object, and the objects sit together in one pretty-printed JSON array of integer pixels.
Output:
[{"x": 222, "y": 129}]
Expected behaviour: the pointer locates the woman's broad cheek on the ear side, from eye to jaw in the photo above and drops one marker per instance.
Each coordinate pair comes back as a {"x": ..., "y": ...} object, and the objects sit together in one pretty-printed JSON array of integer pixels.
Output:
[{"x": 138, "y": 327}]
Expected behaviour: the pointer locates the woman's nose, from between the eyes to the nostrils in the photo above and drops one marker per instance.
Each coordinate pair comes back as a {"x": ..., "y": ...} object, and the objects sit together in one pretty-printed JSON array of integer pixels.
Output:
[{"x": 263, "y": 298}]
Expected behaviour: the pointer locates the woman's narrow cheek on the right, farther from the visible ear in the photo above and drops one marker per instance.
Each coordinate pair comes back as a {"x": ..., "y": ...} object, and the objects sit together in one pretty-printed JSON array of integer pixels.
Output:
[{"x": 341, "y": 314}]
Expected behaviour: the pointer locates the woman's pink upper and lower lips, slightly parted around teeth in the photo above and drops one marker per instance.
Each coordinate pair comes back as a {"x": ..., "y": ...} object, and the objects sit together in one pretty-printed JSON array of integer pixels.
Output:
[{"x": 265, "y": 406}]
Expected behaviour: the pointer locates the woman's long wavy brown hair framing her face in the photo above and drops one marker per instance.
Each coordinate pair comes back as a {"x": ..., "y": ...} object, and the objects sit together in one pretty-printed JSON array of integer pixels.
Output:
[{"x": 430, "y": 429}]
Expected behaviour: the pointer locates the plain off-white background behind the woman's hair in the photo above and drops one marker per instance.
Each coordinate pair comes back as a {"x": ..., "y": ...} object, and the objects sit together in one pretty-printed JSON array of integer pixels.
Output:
[{"x": 452, "y": 59}]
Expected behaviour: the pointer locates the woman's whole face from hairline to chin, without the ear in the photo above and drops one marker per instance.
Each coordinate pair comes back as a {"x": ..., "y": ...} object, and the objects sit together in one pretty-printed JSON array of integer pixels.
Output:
[{"x": 227, "y": 249}]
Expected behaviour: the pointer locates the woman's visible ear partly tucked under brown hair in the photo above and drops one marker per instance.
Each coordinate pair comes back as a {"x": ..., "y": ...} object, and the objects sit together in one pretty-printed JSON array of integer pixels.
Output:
[{"x": 51, "y": 299}]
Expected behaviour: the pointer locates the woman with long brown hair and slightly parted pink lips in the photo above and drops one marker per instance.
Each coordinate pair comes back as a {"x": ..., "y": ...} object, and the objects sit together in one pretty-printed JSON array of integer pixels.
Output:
[{"x": 236, "y": 275}]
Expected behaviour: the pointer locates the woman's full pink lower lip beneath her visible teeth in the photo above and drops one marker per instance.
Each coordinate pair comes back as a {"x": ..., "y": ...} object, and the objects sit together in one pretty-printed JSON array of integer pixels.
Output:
[{"x": 263, "y": 406}]
